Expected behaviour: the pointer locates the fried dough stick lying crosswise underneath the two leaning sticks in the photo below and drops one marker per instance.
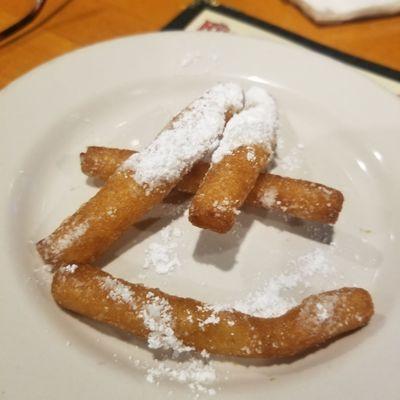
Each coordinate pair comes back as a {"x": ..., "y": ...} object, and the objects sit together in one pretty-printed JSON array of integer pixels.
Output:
[{"x": 295, "y": 197}]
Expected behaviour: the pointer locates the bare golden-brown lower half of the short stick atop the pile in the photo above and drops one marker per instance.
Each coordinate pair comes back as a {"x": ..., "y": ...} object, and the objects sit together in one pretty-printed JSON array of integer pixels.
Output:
[{"x": 225, "y": 188}]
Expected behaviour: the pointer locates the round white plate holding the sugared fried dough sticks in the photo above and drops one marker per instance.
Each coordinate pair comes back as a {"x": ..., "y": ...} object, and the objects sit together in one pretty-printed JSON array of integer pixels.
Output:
[{"x": 114, "y": 92}]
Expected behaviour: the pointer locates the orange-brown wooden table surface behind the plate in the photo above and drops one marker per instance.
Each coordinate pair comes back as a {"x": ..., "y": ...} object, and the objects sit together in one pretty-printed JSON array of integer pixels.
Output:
[{"x": 65, "y": 25}]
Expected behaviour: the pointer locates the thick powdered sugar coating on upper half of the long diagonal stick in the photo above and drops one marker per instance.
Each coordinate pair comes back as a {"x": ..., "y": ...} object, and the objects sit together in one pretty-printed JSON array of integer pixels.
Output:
[{"x": 189, "y": 137}]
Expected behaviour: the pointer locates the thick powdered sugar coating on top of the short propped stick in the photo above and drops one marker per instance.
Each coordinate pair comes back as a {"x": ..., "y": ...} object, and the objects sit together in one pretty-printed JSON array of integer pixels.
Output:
[{"x": 255, "y": 125}]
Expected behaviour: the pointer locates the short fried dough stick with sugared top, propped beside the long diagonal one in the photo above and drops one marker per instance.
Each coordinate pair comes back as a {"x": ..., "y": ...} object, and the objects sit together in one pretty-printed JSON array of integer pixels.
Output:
[{"x": 245, "y": 148}]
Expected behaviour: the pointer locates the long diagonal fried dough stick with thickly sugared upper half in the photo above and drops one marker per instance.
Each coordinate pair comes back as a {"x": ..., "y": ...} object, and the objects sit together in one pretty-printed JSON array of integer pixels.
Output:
[{"x": 143, "y": 180}]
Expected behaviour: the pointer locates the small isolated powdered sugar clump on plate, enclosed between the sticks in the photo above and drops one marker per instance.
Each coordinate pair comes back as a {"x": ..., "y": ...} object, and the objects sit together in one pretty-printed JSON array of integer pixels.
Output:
[{"x": 163, "y": 257}]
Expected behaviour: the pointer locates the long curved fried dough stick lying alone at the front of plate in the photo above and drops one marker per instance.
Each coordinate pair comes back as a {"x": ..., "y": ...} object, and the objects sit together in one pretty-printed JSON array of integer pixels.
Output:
[{"x": 150, "y": 313}]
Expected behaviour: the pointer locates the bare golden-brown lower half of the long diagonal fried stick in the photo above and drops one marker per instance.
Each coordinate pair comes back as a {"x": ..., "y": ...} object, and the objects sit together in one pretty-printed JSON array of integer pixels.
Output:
[{"x": 89, "y": 232}]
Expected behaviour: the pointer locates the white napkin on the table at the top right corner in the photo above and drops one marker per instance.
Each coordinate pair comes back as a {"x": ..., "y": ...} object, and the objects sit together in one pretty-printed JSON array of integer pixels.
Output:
[{"x": 344, "y": 10}]
